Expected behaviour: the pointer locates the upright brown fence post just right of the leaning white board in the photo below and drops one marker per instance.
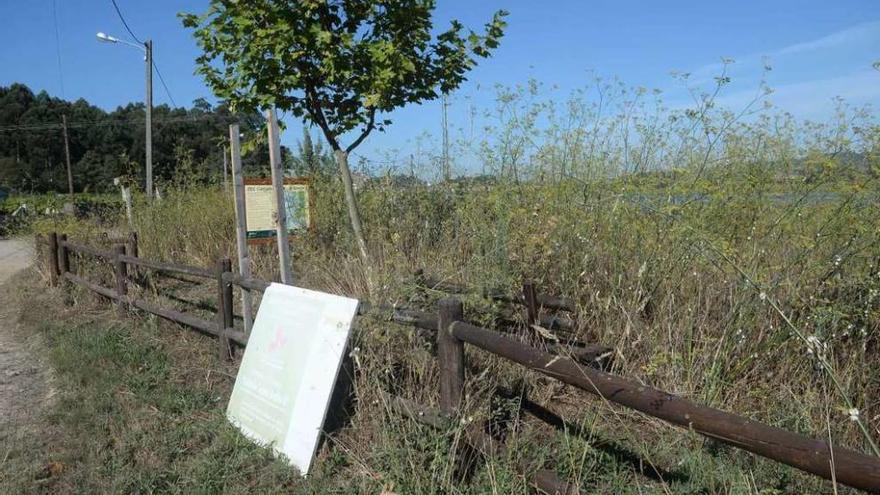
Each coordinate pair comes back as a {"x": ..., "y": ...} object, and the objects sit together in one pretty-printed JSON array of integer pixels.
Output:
[{"x": 450, "y": 356}]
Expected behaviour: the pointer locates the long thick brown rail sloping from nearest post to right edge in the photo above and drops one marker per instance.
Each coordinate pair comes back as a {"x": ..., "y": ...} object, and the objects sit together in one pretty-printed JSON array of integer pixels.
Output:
[{"x": 813, "y": 456}]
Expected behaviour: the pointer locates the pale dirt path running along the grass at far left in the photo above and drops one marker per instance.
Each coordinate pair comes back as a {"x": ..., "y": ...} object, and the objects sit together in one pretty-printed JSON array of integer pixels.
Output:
[{"x": 23, "y": 381}]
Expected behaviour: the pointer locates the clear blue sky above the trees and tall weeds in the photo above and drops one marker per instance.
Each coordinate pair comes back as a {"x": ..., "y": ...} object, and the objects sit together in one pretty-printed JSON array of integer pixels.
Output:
[{"x": 818, "y": 49}]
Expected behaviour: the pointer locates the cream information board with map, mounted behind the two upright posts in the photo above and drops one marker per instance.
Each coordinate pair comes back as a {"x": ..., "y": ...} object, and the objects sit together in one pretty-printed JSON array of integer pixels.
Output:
[{"x": 261, "y": 207}]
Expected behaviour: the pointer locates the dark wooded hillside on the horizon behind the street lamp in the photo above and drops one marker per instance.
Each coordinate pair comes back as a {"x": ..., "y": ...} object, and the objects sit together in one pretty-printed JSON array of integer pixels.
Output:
[{"x": 188, "y": 143}]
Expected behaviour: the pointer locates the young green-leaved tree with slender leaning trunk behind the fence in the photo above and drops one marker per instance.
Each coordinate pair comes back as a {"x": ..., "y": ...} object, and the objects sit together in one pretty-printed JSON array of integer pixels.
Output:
[{"x": 337, "y": 63}]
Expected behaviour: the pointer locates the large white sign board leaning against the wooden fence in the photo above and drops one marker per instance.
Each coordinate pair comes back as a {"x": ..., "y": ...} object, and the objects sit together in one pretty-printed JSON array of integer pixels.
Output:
[{"x": 289, "y": 368}]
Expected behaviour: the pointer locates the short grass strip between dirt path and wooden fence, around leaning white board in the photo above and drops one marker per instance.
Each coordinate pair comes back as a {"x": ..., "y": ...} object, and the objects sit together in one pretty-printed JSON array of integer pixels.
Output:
[{"x": 140, "y": 409}]
